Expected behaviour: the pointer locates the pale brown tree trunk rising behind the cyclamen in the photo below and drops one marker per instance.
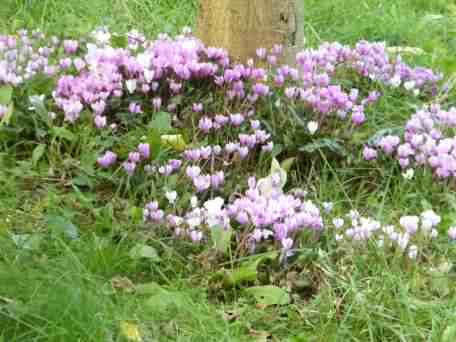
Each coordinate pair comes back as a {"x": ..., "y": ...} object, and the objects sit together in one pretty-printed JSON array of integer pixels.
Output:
[{"x": 242, "y": 26}]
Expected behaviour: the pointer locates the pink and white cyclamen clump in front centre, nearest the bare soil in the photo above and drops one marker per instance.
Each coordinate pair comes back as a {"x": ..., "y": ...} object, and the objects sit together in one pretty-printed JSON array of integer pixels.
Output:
[{"x": 259, "y": 215}]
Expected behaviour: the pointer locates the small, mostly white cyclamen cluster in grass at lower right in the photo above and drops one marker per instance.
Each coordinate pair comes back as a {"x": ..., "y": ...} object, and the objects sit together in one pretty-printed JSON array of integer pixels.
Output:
[{"x": 406, "y": 237}]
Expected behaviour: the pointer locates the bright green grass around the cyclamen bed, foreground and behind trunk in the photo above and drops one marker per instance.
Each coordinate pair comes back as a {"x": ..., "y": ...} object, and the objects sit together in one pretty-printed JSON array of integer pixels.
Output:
[{"x": 62, "y": 290}]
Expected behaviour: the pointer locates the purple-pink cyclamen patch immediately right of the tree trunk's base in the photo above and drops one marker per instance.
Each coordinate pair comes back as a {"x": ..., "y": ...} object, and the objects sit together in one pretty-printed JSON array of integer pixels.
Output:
[{"x": 322, "y": 92}]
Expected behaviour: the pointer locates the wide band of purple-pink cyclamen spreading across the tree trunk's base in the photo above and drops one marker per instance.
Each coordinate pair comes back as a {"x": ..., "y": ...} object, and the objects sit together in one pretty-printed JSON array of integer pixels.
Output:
[{"x": 158, "y": 70}]
